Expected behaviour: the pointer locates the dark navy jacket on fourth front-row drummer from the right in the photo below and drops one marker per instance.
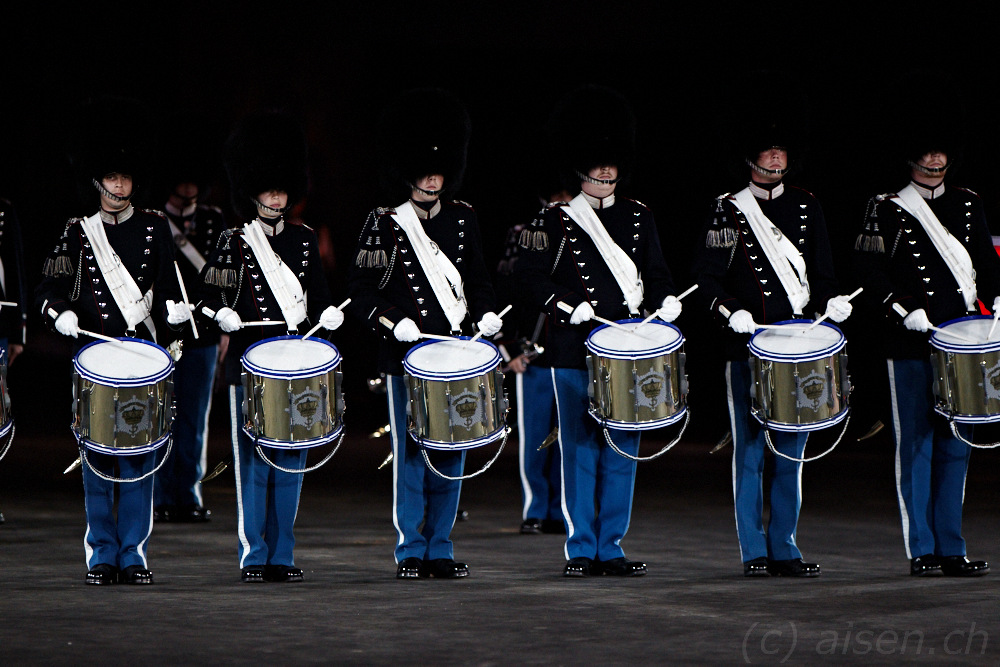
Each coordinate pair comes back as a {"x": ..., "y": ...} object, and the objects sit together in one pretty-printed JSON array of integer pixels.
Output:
[{"x": 388, "y": 285}]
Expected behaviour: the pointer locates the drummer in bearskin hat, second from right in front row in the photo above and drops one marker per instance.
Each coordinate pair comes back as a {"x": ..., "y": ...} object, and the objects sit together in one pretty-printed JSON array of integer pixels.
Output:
[{"x": 763, "y": 257}]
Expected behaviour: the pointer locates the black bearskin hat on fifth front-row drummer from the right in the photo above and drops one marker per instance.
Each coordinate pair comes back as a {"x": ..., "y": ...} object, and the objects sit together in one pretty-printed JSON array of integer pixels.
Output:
[{"x": 265, "y": 151}]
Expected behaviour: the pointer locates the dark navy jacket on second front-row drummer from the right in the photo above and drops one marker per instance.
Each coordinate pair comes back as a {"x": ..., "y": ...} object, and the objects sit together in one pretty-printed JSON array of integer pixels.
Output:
[{"x": 733, "y": 272}]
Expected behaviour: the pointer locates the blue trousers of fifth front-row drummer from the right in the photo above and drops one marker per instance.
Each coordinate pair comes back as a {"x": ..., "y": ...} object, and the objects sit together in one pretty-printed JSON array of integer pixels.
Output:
[{"x": 267, "y": 499}]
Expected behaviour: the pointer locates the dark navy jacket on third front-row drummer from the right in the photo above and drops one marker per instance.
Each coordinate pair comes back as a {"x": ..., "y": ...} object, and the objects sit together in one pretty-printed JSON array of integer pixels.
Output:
[{"x": 561, "y": 263}]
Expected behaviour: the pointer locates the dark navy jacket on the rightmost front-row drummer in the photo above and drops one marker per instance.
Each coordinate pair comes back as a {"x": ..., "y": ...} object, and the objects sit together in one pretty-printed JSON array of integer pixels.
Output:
[{"x": 898, "y": 263}]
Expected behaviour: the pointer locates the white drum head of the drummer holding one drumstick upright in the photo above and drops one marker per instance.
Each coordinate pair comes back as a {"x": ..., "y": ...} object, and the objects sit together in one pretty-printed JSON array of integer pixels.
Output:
[{"x": 127, "y": 363}]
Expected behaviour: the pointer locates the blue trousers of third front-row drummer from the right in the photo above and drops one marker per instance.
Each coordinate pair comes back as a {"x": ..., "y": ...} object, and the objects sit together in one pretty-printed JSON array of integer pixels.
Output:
[{"x": 597, "y": 482}]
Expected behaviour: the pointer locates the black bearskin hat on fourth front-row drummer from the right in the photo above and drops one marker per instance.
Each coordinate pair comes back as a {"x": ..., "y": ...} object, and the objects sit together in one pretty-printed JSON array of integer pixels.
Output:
[{"x": 422, "y": 132}]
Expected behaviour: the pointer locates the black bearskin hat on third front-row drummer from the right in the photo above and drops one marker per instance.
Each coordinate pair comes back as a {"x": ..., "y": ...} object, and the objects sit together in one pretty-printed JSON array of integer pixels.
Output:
[{"x": 589, "y": 127}]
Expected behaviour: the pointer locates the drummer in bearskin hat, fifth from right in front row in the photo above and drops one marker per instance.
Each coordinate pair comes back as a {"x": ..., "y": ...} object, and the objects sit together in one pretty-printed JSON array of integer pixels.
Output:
[{"x": 265, "y": 158}]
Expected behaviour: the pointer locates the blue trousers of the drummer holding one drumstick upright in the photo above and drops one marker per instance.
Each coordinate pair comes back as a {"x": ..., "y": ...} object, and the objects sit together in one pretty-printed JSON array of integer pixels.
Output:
[{"x": 118, "y": 541}]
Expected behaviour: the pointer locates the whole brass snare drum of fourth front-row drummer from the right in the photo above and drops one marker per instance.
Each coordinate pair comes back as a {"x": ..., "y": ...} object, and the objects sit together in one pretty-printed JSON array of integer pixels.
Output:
[{"x": 456, "y": 397}]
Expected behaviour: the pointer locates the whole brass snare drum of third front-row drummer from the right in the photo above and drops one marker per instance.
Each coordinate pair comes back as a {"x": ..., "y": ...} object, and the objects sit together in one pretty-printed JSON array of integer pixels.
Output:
[{"x": 637, "y": 380}]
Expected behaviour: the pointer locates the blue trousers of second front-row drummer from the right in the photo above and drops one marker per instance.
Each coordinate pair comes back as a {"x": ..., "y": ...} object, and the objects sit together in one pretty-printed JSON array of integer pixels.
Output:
[{"x": 749, "y": 448}]
